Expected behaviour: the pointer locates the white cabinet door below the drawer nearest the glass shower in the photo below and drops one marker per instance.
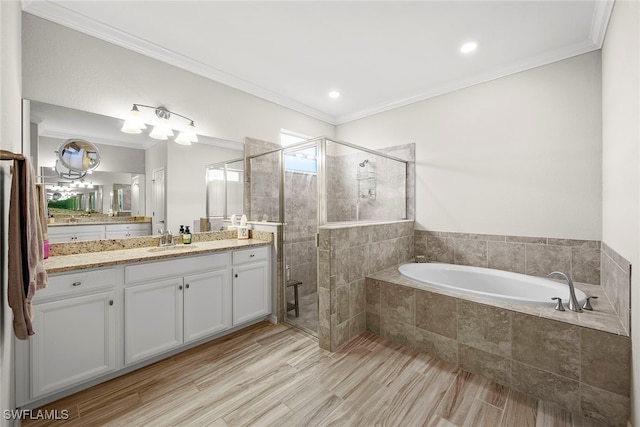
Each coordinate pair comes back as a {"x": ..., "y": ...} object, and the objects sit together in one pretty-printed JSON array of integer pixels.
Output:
[{"x": 251, "y": 292}]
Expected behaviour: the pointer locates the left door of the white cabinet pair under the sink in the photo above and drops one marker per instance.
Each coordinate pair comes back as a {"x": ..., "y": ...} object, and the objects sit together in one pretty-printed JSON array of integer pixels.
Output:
[{"x": 153, "y": 319}]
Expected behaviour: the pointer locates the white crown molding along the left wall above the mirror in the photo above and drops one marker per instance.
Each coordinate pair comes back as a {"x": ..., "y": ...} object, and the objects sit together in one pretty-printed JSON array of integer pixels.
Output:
[{"x": 59, "y": 14}]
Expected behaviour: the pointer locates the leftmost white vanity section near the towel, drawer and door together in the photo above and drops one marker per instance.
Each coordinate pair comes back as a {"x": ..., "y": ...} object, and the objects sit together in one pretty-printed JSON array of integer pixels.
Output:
[{"x": 75, "y": 320}]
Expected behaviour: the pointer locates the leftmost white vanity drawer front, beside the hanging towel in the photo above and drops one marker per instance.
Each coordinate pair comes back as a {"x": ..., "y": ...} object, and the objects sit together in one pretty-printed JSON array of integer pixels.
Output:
[{"x": 77, "y": 282}]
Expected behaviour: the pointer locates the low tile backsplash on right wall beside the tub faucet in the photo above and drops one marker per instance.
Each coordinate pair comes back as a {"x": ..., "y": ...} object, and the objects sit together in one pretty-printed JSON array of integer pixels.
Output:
[{"x": 616, "y": 282}]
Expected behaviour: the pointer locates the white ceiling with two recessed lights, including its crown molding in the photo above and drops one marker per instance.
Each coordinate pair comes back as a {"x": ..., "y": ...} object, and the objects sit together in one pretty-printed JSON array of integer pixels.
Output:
[{"x": 379, "y": 55}]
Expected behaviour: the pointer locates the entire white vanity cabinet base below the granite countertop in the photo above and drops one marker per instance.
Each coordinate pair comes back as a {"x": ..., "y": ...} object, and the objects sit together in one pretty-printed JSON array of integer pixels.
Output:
[{"x": 93, "y": 324}]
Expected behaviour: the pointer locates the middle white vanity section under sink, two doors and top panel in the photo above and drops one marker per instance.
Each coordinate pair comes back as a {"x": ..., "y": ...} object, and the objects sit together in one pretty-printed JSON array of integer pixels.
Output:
[{"x": 162, "y": 314}]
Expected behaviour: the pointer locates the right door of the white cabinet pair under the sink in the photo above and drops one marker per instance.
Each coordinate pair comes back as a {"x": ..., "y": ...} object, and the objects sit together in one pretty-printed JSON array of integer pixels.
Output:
[{"x": 207, "y": 304}]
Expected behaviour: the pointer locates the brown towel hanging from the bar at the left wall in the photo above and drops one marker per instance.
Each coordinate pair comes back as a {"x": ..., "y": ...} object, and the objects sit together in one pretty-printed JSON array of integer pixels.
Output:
[{"x": 26, "y": 271}]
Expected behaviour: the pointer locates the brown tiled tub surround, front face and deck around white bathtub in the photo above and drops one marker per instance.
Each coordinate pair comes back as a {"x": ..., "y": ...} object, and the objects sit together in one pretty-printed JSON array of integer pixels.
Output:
[{"x": 580, "y": 361}]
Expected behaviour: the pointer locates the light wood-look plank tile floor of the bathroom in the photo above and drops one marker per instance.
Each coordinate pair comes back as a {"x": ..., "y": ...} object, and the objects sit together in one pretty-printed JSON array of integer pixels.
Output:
[{"x": 274, "y": 375}]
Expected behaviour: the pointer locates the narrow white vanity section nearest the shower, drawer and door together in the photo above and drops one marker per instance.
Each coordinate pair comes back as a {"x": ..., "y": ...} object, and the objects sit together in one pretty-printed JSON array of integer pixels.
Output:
[{"x": 251, "y": 284}]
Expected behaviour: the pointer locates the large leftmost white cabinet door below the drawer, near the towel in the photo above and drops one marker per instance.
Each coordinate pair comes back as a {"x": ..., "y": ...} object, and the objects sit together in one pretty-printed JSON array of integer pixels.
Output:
[{"x": 75, "y": 341}]
